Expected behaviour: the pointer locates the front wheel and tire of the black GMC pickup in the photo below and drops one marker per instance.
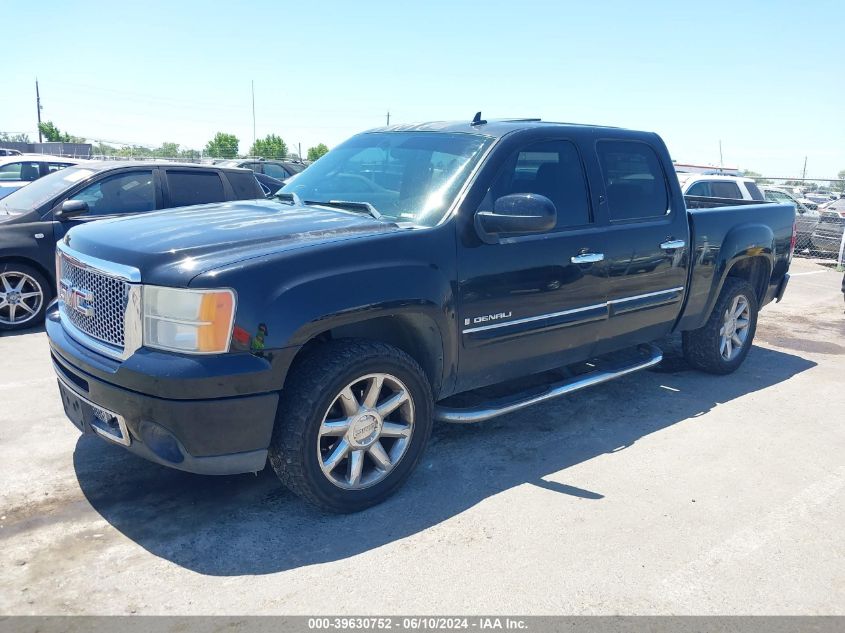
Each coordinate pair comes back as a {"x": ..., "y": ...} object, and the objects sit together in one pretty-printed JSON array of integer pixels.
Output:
[{"x": 353, "y": 421}]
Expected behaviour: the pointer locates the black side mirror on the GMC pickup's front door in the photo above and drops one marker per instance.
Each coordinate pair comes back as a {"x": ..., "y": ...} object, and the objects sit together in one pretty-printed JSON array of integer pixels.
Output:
[{"x": 516, "y": 213}]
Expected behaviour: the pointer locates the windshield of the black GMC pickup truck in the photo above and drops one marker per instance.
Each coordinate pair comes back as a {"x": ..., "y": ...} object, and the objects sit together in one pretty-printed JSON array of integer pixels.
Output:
[{"x": 407, "y": 176}]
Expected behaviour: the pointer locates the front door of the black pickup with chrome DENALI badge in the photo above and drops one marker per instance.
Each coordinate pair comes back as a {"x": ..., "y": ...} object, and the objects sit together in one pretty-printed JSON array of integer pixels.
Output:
[{"x": 532, "y": 302}]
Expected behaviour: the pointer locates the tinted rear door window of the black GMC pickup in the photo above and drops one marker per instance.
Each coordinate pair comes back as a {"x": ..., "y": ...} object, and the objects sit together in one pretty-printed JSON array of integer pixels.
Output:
[{"x": 634, "y": 181}]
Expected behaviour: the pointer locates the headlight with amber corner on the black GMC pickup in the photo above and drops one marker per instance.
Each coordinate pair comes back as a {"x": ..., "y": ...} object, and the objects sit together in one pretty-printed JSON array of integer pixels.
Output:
[{"x": 188, "y": 320}]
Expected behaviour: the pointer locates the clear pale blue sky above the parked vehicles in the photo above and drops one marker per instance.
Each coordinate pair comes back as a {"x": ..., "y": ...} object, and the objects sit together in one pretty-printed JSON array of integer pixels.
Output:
[{"x": 767, "y": 78}]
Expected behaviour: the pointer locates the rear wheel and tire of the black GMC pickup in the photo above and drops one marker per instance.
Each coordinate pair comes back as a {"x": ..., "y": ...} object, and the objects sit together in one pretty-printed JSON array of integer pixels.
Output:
[{"x": 721, "y": 345}]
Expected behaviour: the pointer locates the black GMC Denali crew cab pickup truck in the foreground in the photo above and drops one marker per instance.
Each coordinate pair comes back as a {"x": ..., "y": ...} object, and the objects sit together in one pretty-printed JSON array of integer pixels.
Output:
[{"x": 445, "y": 271}]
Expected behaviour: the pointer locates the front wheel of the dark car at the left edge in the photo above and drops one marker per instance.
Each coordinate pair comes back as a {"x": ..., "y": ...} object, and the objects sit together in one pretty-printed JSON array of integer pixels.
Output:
[{"x": 24, "y": 294}]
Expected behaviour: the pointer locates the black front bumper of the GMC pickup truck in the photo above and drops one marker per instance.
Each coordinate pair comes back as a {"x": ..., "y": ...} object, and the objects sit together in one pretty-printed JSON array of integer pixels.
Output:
[{"x": 195, "y": 433}]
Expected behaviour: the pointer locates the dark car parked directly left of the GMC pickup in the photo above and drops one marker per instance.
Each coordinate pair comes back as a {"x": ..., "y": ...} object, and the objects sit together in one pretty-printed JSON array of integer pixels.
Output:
[{"x": 34, "y": 218}]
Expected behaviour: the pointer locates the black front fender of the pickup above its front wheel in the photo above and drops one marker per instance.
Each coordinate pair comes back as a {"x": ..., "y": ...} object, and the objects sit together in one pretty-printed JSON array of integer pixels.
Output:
[{"x": 286, "y": 300}]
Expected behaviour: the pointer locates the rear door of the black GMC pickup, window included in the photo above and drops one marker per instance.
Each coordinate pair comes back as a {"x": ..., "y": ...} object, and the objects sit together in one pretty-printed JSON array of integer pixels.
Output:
[{"x": 645, "y": 244}]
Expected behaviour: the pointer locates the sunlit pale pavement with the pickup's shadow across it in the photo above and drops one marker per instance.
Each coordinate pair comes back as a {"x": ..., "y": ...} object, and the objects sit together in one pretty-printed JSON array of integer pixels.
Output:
[{"x": 669, "y": 491}]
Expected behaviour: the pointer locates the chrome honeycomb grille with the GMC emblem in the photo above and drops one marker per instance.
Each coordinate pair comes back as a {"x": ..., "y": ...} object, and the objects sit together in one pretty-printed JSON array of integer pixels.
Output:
[{"x": 95, "y": 303}]
